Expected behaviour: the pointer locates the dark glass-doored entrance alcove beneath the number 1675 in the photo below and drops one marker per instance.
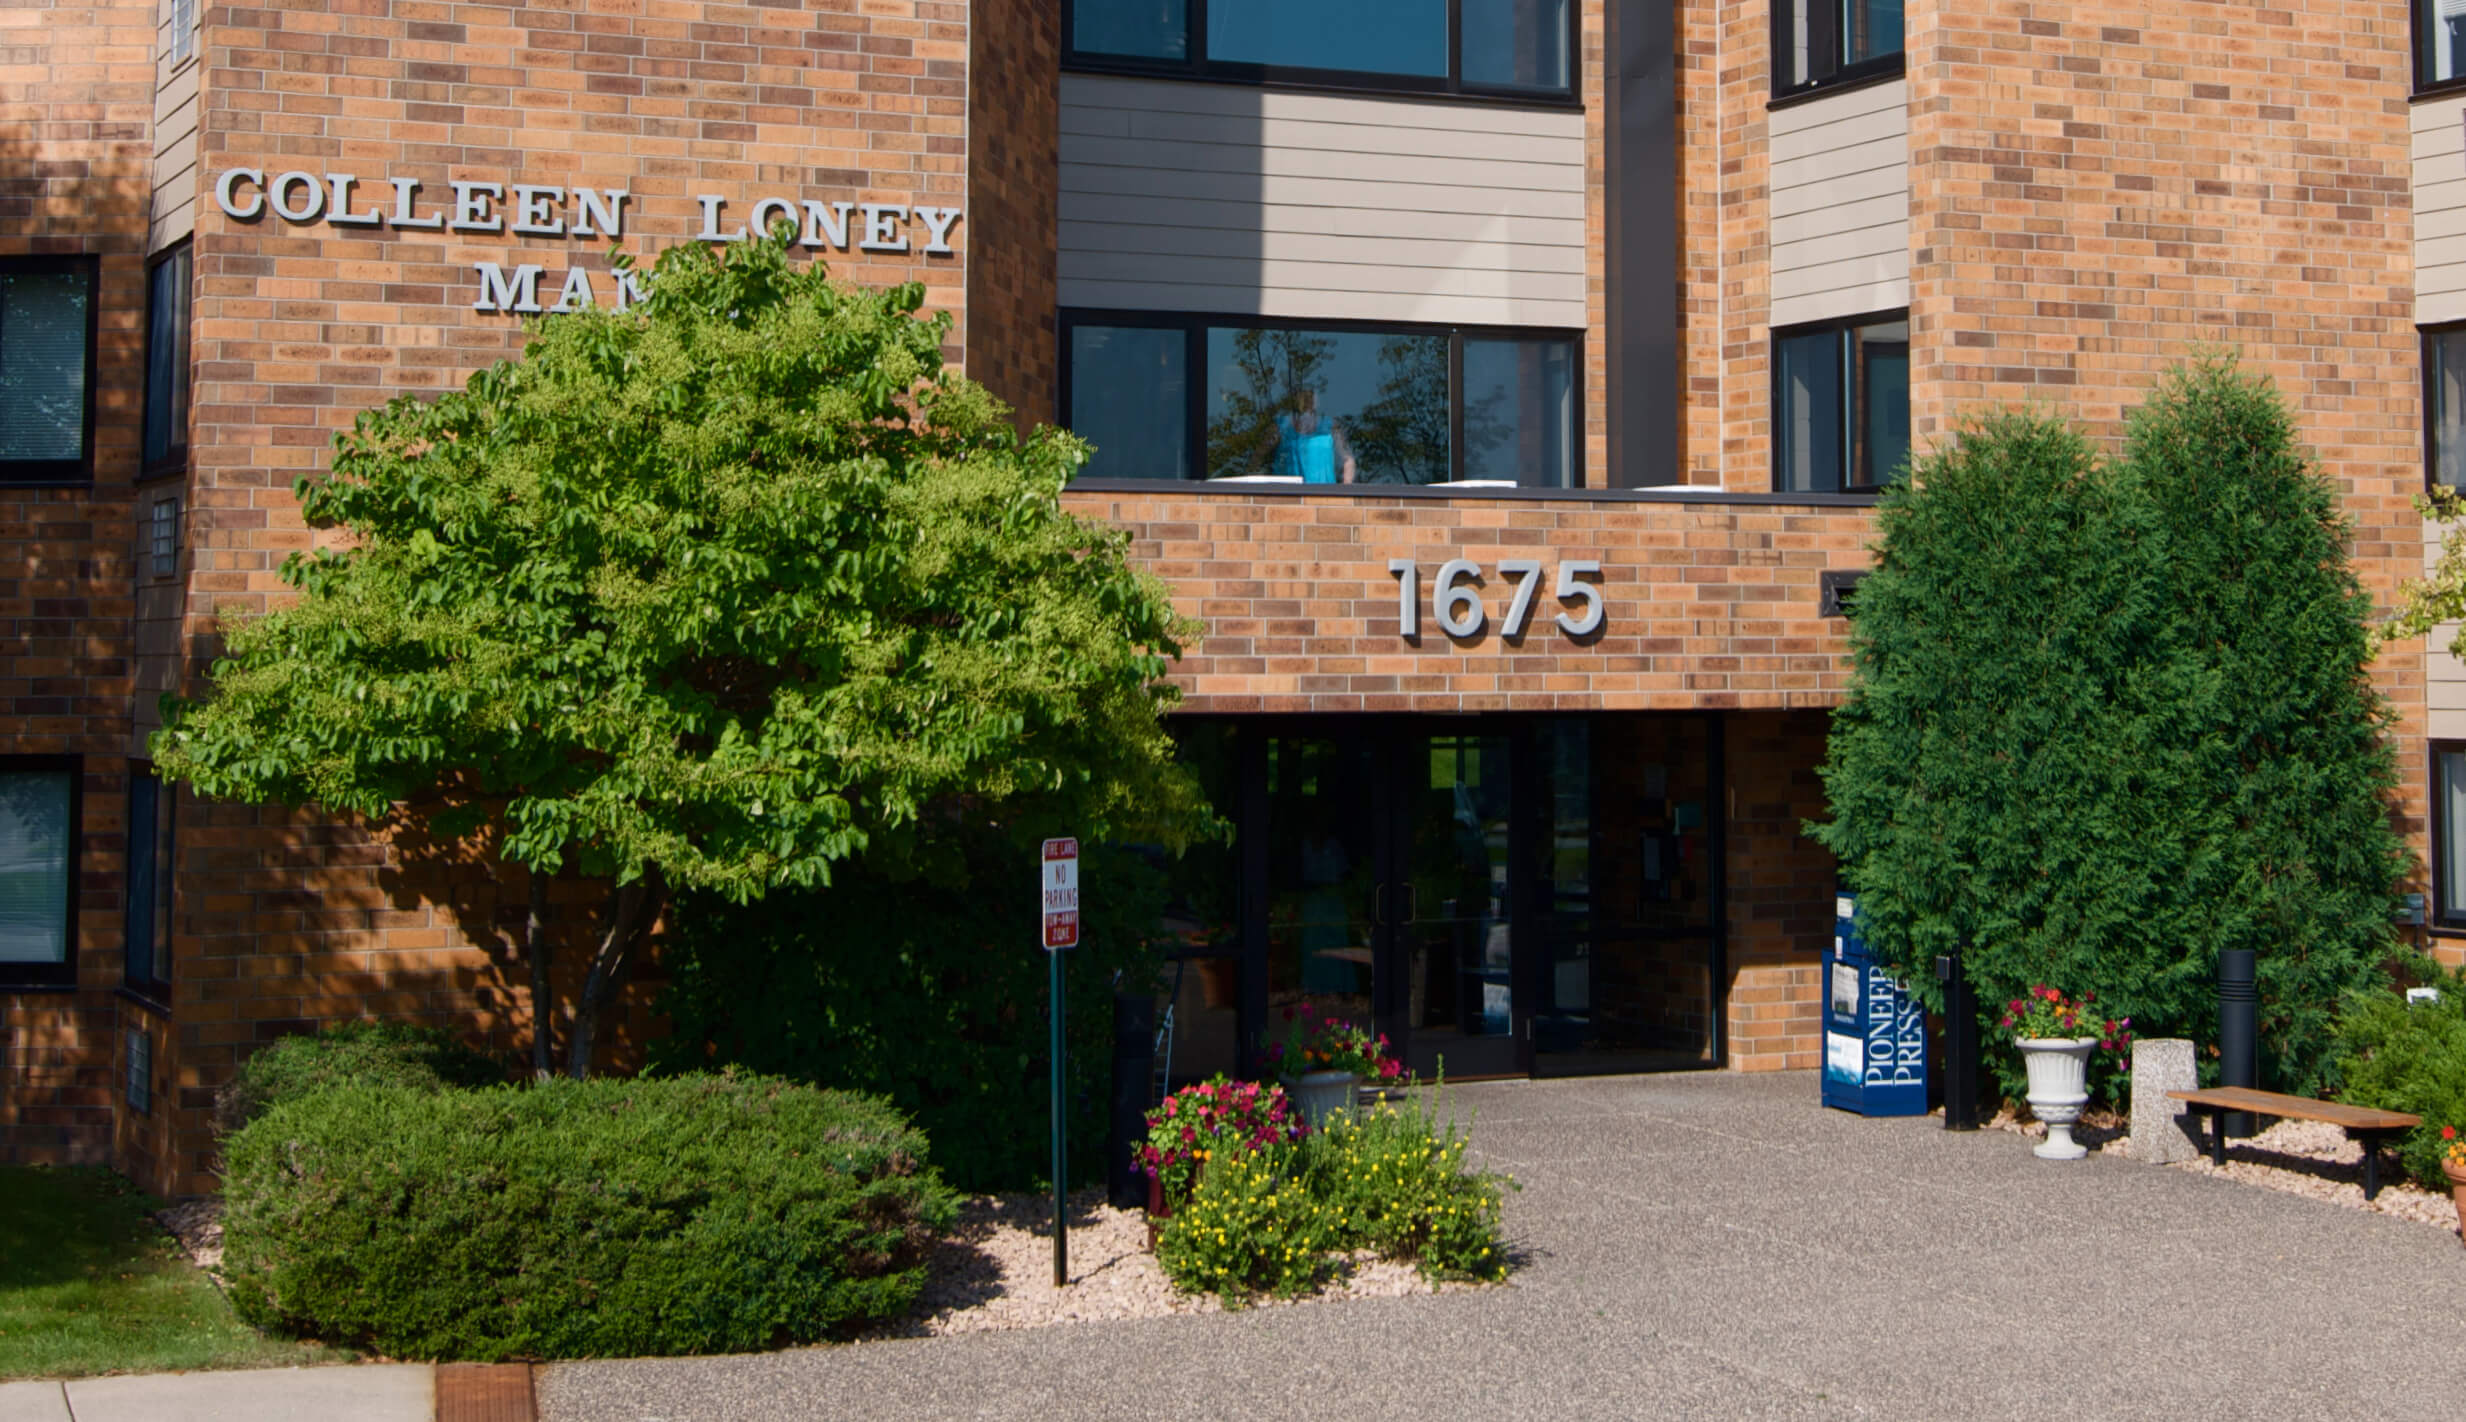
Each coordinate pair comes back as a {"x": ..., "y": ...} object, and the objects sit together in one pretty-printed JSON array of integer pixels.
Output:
[{"x": 1496, "y": 893}]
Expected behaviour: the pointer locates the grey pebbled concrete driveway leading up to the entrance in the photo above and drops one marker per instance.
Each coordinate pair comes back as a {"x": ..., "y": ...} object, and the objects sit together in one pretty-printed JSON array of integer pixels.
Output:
[{"x": 1718, "y": 1246}]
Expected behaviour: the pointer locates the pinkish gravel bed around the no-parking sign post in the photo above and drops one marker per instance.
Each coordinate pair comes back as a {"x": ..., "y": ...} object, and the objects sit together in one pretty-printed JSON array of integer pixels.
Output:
[{"x": 995, "y": 1270}]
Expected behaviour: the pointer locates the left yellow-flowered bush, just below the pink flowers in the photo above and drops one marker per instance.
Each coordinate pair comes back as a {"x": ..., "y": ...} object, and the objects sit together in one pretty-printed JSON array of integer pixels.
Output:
[{"x": 1251, "y": 1226}]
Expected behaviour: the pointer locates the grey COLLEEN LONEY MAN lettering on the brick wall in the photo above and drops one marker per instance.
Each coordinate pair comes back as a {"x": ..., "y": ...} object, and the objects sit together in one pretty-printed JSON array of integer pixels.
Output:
[{"x": 541, "y": 211}]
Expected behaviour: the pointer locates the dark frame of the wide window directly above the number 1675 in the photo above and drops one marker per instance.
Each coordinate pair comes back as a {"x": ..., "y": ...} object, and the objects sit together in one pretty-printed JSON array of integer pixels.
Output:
[{"x": 1195, "y": 364}]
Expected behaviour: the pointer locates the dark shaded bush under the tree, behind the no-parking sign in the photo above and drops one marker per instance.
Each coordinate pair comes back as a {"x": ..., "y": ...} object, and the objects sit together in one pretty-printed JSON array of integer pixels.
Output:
[{"x": 926, "y": 994}]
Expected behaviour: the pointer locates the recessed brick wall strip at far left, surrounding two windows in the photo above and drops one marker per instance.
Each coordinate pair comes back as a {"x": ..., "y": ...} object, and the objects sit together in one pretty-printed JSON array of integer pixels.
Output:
[{"x": 75, "y": 174}]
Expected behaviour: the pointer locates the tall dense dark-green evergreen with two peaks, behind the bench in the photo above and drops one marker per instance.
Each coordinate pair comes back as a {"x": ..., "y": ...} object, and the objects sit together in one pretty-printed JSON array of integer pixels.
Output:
[{"x": 2115, "y": 718}]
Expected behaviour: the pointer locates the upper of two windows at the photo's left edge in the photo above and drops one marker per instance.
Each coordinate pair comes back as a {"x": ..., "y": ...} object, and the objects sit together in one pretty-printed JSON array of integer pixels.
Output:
[{"x": 46, "y": 368}]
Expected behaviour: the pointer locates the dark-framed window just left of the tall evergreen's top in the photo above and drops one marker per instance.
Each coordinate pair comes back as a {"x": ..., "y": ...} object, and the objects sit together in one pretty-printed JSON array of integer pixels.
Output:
[{"x": 1841, "y": 405}]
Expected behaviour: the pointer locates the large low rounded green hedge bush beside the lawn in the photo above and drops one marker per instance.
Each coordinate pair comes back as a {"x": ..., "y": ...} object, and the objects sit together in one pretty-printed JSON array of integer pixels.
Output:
[{"x": 578, "y": 1219}]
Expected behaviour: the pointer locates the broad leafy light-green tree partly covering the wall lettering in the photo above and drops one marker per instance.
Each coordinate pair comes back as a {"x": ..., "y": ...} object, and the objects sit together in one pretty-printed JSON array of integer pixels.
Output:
[{"x": 704, "y": 595}]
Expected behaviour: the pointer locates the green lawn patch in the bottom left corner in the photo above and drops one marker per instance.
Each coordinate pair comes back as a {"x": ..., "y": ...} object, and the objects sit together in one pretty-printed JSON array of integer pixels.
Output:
[{"x": 90, "y": 1285}]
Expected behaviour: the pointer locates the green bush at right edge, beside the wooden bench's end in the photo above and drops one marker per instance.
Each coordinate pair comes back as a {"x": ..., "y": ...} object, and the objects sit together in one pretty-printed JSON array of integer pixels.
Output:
[{"x": 2411, "y": 1058}]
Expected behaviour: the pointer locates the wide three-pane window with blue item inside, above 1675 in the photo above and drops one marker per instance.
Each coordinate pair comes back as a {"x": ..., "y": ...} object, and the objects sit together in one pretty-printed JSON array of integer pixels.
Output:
[{"x": 1340, "y": 405}]
